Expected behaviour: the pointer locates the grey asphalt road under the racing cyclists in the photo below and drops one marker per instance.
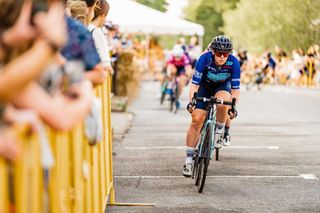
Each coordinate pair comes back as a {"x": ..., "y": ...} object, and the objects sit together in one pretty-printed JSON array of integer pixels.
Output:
[{"x": 273, "y": 164}]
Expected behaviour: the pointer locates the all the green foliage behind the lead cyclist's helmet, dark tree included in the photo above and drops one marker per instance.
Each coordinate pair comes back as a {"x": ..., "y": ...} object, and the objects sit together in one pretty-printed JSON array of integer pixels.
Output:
[{"x": 259, "y": 25}]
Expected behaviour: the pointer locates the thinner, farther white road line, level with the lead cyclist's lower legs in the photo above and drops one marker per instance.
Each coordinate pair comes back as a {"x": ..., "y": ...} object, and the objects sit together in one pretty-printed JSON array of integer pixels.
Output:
[{"x": 183, "y": 147}]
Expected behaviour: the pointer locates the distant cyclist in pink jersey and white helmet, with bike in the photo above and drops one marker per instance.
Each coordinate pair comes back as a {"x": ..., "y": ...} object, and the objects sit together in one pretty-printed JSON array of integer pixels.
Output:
[{"x": 179, "y": 65}]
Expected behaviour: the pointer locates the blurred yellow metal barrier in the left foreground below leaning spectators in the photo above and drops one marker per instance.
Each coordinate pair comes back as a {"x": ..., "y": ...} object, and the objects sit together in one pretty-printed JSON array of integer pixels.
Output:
[{"x": 81, "y": 179}]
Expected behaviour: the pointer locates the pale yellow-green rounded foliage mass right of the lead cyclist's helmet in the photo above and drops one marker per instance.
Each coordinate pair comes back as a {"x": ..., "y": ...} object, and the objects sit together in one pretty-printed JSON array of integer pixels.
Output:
[{"x": 261, "y": 25}]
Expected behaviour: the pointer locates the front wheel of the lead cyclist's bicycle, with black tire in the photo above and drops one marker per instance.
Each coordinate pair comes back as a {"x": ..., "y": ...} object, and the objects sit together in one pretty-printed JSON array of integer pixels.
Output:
[{"x": 205, "y": 159}]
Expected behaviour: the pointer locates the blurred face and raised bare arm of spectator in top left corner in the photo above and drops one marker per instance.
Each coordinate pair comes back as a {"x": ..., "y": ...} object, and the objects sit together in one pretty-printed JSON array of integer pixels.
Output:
[{"x": 17, "y": 72}]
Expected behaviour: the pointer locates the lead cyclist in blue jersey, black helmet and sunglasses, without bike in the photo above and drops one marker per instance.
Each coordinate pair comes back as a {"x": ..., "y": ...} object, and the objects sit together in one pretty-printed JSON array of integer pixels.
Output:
[{"x": 217, "y": 73}]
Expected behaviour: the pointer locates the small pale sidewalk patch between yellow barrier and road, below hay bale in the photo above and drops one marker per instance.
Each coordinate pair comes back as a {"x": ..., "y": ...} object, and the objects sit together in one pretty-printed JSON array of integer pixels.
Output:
[{"x": 121, "y": 122}]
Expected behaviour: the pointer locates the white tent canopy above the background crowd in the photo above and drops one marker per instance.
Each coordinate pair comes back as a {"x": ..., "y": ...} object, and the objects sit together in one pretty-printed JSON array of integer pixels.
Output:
[{"x": 133, "y": 17}]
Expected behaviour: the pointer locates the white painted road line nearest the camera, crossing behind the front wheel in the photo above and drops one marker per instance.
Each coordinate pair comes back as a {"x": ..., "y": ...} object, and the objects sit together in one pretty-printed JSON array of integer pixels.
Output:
[{"x": 222, "y": 176}]
